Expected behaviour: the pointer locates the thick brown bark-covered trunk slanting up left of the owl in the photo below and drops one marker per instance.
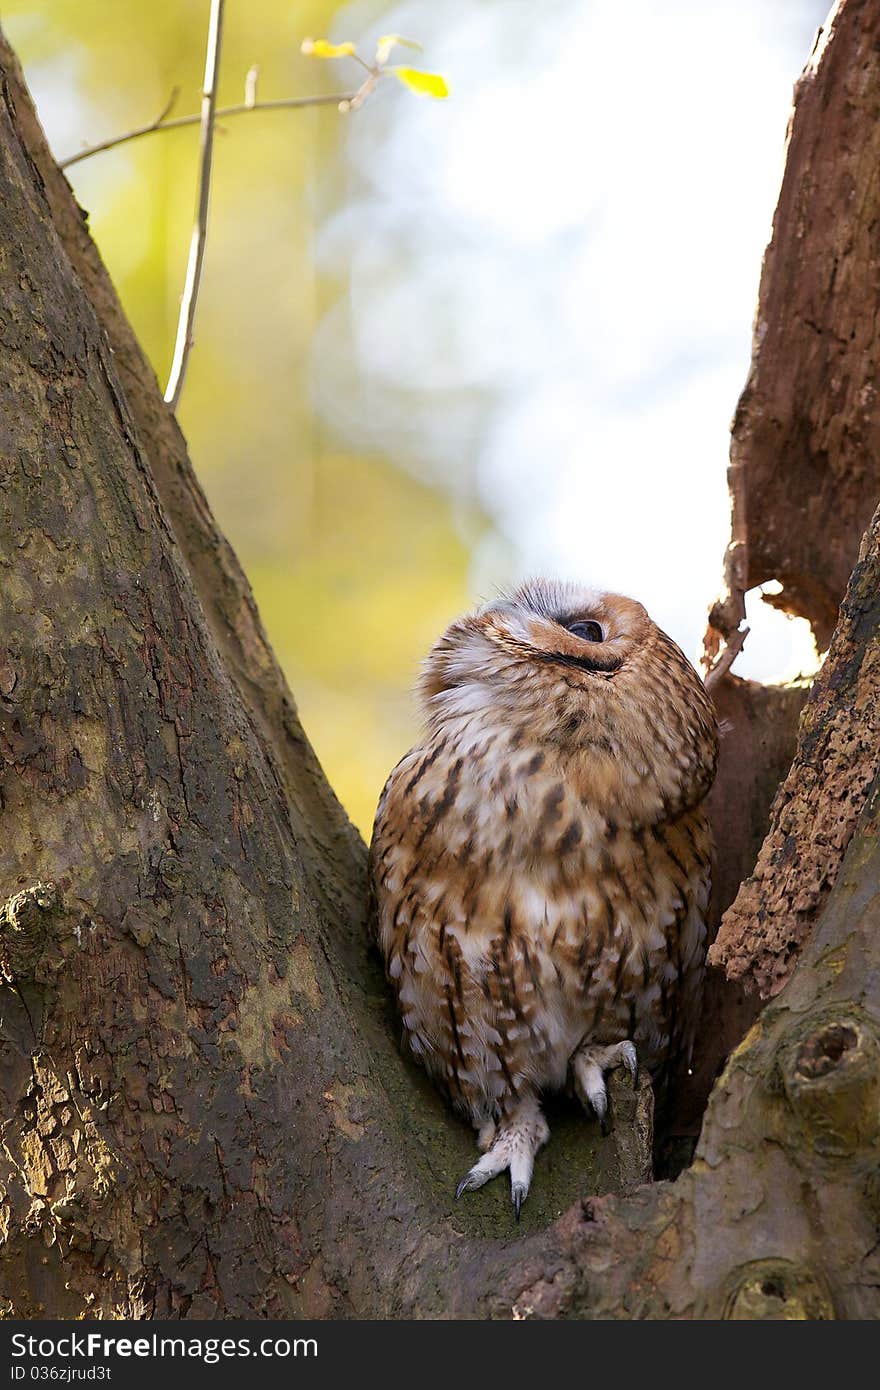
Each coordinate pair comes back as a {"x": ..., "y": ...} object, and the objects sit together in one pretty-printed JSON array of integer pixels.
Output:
[{"x": 205, "y": 1107}]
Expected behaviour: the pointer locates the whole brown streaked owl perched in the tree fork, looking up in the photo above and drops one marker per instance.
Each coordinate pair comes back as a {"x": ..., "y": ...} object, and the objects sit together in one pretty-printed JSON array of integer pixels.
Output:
[{"x": 540, "y": 862}]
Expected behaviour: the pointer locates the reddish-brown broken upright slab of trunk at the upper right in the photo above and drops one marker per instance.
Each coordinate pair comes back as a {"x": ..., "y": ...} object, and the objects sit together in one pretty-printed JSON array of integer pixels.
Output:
[{"x": 806, "y": 451}]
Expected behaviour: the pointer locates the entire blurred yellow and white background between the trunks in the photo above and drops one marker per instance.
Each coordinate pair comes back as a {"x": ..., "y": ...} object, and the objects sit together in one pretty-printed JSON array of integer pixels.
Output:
[{"x": 419, "y": 369}]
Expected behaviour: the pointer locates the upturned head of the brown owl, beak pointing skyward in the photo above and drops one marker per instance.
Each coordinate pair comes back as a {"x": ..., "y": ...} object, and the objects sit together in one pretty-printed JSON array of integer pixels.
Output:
[{"x": 589, "y": 675}]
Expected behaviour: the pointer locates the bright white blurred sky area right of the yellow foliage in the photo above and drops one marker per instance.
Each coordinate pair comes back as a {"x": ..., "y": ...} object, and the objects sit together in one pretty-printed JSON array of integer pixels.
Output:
[{"x": 554, "y": 275}]
